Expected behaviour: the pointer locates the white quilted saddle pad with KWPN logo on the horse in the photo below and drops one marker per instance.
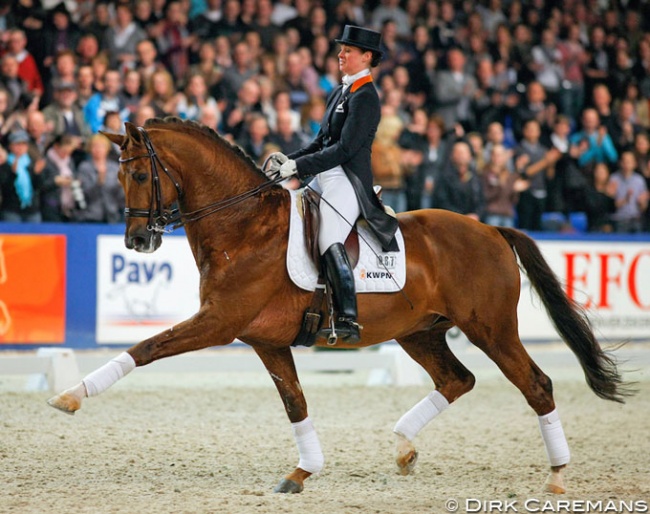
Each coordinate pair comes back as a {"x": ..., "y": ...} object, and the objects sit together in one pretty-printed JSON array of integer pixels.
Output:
[{"x": 376, "y": 271}]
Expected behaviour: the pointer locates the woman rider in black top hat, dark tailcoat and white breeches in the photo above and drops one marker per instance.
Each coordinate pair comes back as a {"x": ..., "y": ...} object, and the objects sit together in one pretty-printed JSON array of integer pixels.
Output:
[{"x": 339, "y": 157}]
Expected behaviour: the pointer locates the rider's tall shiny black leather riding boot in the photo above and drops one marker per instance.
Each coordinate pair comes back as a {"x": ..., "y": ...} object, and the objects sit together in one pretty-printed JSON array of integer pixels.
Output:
[{"x": 341, "y": 278}]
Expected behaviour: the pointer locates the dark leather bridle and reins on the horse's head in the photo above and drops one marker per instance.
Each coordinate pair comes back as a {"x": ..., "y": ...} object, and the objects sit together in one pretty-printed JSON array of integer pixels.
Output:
[{"x": 160, "y": 217}]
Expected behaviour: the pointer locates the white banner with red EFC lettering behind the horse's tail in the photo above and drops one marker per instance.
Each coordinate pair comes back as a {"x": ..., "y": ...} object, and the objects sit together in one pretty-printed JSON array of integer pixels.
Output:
[{"x": 611, "y": 280}]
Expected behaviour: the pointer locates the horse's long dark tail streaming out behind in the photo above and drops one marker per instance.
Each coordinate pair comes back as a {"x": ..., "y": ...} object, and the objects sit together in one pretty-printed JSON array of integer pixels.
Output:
[{"x": 569, "y": 319}]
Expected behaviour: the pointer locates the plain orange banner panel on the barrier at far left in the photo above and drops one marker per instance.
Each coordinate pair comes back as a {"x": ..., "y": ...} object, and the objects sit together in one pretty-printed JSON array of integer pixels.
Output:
[{"x": 32, "y": 288}]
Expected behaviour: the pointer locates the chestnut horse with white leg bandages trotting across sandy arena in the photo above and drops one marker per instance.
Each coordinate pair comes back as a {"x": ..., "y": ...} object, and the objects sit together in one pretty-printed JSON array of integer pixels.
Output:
[{"x": 459, "y": 273}]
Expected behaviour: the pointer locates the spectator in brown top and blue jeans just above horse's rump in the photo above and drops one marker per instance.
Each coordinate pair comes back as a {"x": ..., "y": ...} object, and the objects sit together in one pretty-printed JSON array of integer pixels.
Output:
[{"x": 501, "y": 188}]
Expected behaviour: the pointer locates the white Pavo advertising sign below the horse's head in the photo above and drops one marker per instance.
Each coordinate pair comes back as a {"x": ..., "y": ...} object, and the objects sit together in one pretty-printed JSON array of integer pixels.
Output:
[{"x": 139, "y": 295}]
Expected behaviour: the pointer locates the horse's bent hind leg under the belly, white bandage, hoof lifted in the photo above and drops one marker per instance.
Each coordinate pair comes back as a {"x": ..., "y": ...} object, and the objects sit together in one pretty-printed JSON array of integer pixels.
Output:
[{"x": 452, "y": 379}]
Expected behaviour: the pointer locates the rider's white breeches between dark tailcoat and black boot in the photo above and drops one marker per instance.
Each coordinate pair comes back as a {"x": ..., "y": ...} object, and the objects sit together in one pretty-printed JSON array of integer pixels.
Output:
[{"x": 337, "y": 192}]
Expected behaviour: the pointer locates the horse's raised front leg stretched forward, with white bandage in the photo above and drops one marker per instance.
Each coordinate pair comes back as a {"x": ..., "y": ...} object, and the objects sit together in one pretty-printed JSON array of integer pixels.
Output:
[{"x": 200, "y": 331}]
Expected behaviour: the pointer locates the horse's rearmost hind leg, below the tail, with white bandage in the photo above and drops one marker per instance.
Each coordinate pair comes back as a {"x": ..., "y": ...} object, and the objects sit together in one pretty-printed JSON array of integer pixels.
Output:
[{"x": 511, "y": 357}]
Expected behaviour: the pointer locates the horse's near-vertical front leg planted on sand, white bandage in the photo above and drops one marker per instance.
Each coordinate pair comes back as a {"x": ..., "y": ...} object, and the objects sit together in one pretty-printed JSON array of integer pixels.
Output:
[{"x": 279, "y": 363}]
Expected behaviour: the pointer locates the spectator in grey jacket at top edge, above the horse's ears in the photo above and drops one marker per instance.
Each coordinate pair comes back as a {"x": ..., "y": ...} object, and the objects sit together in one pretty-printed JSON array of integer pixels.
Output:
[{"x": 121, "y": 38}]
